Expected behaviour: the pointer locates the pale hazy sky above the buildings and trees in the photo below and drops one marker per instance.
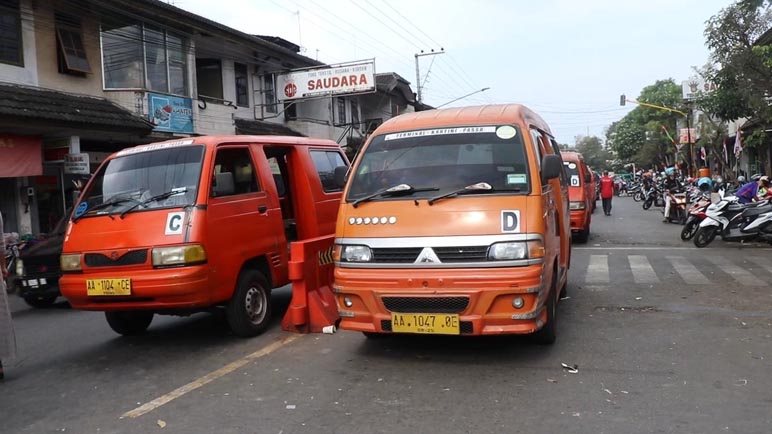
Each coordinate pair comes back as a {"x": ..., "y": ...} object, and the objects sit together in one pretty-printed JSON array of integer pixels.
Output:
[{"x": 569, "y": 60}]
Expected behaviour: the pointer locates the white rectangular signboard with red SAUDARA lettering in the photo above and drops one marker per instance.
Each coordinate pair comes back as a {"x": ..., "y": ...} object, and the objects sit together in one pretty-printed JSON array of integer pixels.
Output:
[{"x": 325, "y": 81}]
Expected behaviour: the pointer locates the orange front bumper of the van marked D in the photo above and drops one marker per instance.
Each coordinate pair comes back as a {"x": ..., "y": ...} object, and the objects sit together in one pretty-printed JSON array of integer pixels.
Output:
[{"x": 490, "y": 293}]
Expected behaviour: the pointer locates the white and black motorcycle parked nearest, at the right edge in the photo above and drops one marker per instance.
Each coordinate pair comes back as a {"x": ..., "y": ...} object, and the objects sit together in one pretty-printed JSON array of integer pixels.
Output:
[{"x": 736, "y": 222}]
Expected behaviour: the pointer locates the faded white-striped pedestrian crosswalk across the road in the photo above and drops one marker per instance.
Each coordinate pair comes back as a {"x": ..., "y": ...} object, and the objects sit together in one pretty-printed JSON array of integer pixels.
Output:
[{"x": 656, "y": 268}]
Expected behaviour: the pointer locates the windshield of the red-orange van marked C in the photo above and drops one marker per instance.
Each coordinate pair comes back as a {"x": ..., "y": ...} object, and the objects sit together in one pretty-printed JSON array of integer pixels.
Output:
[{"x": 133, "y": 179}]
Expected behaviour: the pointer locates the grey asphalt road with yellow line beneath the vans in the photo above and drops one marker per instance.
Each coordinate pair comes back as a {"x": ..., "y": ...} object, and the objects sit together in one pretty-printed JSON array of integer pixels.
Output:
[{"x": 667, "y": 339}]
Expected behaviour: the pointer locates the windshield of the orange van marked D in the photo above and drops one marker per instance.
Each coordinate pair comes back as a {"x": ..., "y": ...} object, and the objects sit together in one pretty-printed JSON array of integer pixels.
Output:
[{"x": 443, "y": 160}]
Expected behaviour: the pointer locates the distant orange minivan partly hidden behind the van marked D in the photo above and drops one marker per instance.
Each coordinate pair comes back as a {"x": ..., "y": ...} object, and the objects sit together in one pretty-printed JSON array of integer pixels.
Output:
[{"x": 581, "y": 194}]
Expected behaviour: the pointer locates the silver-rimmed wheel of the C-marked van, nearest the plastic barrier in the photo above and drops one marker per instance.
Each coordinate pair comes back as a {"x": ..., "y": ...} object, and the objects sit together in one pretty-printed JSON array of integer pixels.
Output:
[{"x": 249, "y": 311}]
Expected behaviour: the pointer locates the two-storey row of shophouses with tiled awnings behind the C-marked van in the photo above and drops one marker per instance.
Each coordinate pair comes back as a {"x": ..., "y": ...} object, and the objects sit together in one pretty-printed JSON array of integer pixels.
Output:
[{"x": 88, "y": 77}]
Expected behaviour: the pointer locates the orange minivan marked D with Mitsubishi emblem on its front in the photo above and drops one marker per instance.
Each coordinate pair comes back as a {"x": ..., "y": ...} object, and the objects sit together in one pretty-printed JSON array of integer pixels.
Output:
[{"x": 454, "y": 221}]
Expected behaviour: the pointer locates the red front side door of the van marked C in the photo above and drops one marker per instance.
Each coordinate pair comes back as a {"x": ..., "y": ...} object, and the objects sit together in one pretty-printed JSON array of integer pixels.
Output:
[{"x": 242, "y": 222}]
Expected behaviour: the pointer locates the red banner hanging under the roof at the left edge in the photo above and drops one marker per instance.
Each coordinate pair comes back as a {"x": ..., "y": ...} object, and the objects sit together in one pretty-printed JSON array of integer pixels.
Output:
[{"x": 20, "y": 156}]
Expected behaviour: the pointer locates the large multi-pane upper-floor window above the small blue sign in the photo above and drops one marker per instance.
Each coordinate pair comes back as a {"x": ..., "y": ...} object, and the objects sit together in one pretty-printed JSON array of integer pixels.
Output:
[{"x": 136, "y": 56}]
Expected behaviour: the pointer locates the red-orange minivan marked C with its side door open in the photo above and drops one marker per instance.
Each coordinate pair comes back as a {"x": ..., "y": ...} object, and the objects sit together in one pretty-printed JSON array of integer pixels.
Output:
[{"x": 197, "y": 224}]
